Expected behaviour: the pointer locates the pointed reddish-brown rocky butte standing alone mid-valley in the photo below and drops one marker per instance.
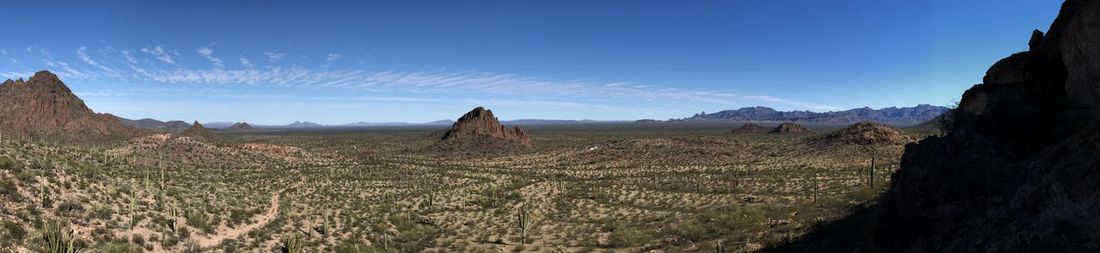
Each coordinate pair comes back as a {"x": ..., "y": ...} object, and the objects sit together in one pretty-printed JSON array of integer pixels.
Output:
[{"x": 481, "y": 124}]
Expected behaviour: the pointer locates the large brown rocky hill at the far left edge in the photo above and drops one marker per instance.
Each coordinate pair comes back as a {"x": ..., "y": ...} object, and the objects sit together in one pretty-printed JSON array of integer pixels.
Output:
[{"x": 45, "y": 108}]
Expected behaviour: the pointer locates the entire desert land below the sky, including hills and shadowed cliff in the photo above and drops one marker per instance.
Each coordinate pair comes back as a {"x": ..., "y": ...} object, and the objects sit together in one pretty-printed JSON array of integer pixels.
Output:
[{"x": 1011, "y": 169}]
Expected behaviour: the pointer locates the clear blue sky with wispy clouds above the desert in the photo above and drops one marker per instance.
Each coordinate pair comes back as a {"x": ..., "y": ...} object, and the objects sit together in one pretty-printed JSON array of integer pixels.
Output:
[{"x": 412, "y": 61}]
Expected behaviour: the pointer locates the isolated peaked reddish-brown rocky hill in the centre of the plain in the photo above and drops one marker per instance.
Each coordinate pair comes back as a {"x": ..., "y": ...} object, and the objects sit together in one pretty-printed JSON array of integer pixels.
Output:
[{"x": 478, "y": 131}]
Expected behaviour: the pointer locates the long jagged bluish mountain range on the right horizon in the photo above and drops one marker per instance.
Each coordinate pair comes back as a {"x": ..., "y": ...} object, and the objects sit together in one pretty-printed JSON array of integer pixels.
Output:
[{"x": 894, "y": 116}]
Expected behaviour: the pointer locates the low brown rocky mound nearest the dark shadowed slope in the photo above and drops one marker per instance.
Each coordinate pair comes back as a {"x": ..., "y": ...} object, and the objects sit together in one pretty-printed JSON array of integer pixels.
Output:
[{"x": 866, "y": 134}]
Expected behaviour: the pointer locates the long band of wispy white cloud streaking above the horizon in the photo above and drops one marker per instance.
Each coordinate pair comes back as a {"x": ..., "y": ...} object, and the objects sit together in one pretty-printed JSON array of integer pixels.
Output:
[{"x": 463, "y": 84}]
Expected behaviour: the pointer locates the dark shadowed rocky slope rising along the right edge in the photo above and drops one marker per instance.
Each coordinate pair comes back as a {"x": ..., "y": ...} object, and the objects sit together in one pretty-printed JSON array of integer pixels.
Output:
[{"x": 1017, "y": 170}]
